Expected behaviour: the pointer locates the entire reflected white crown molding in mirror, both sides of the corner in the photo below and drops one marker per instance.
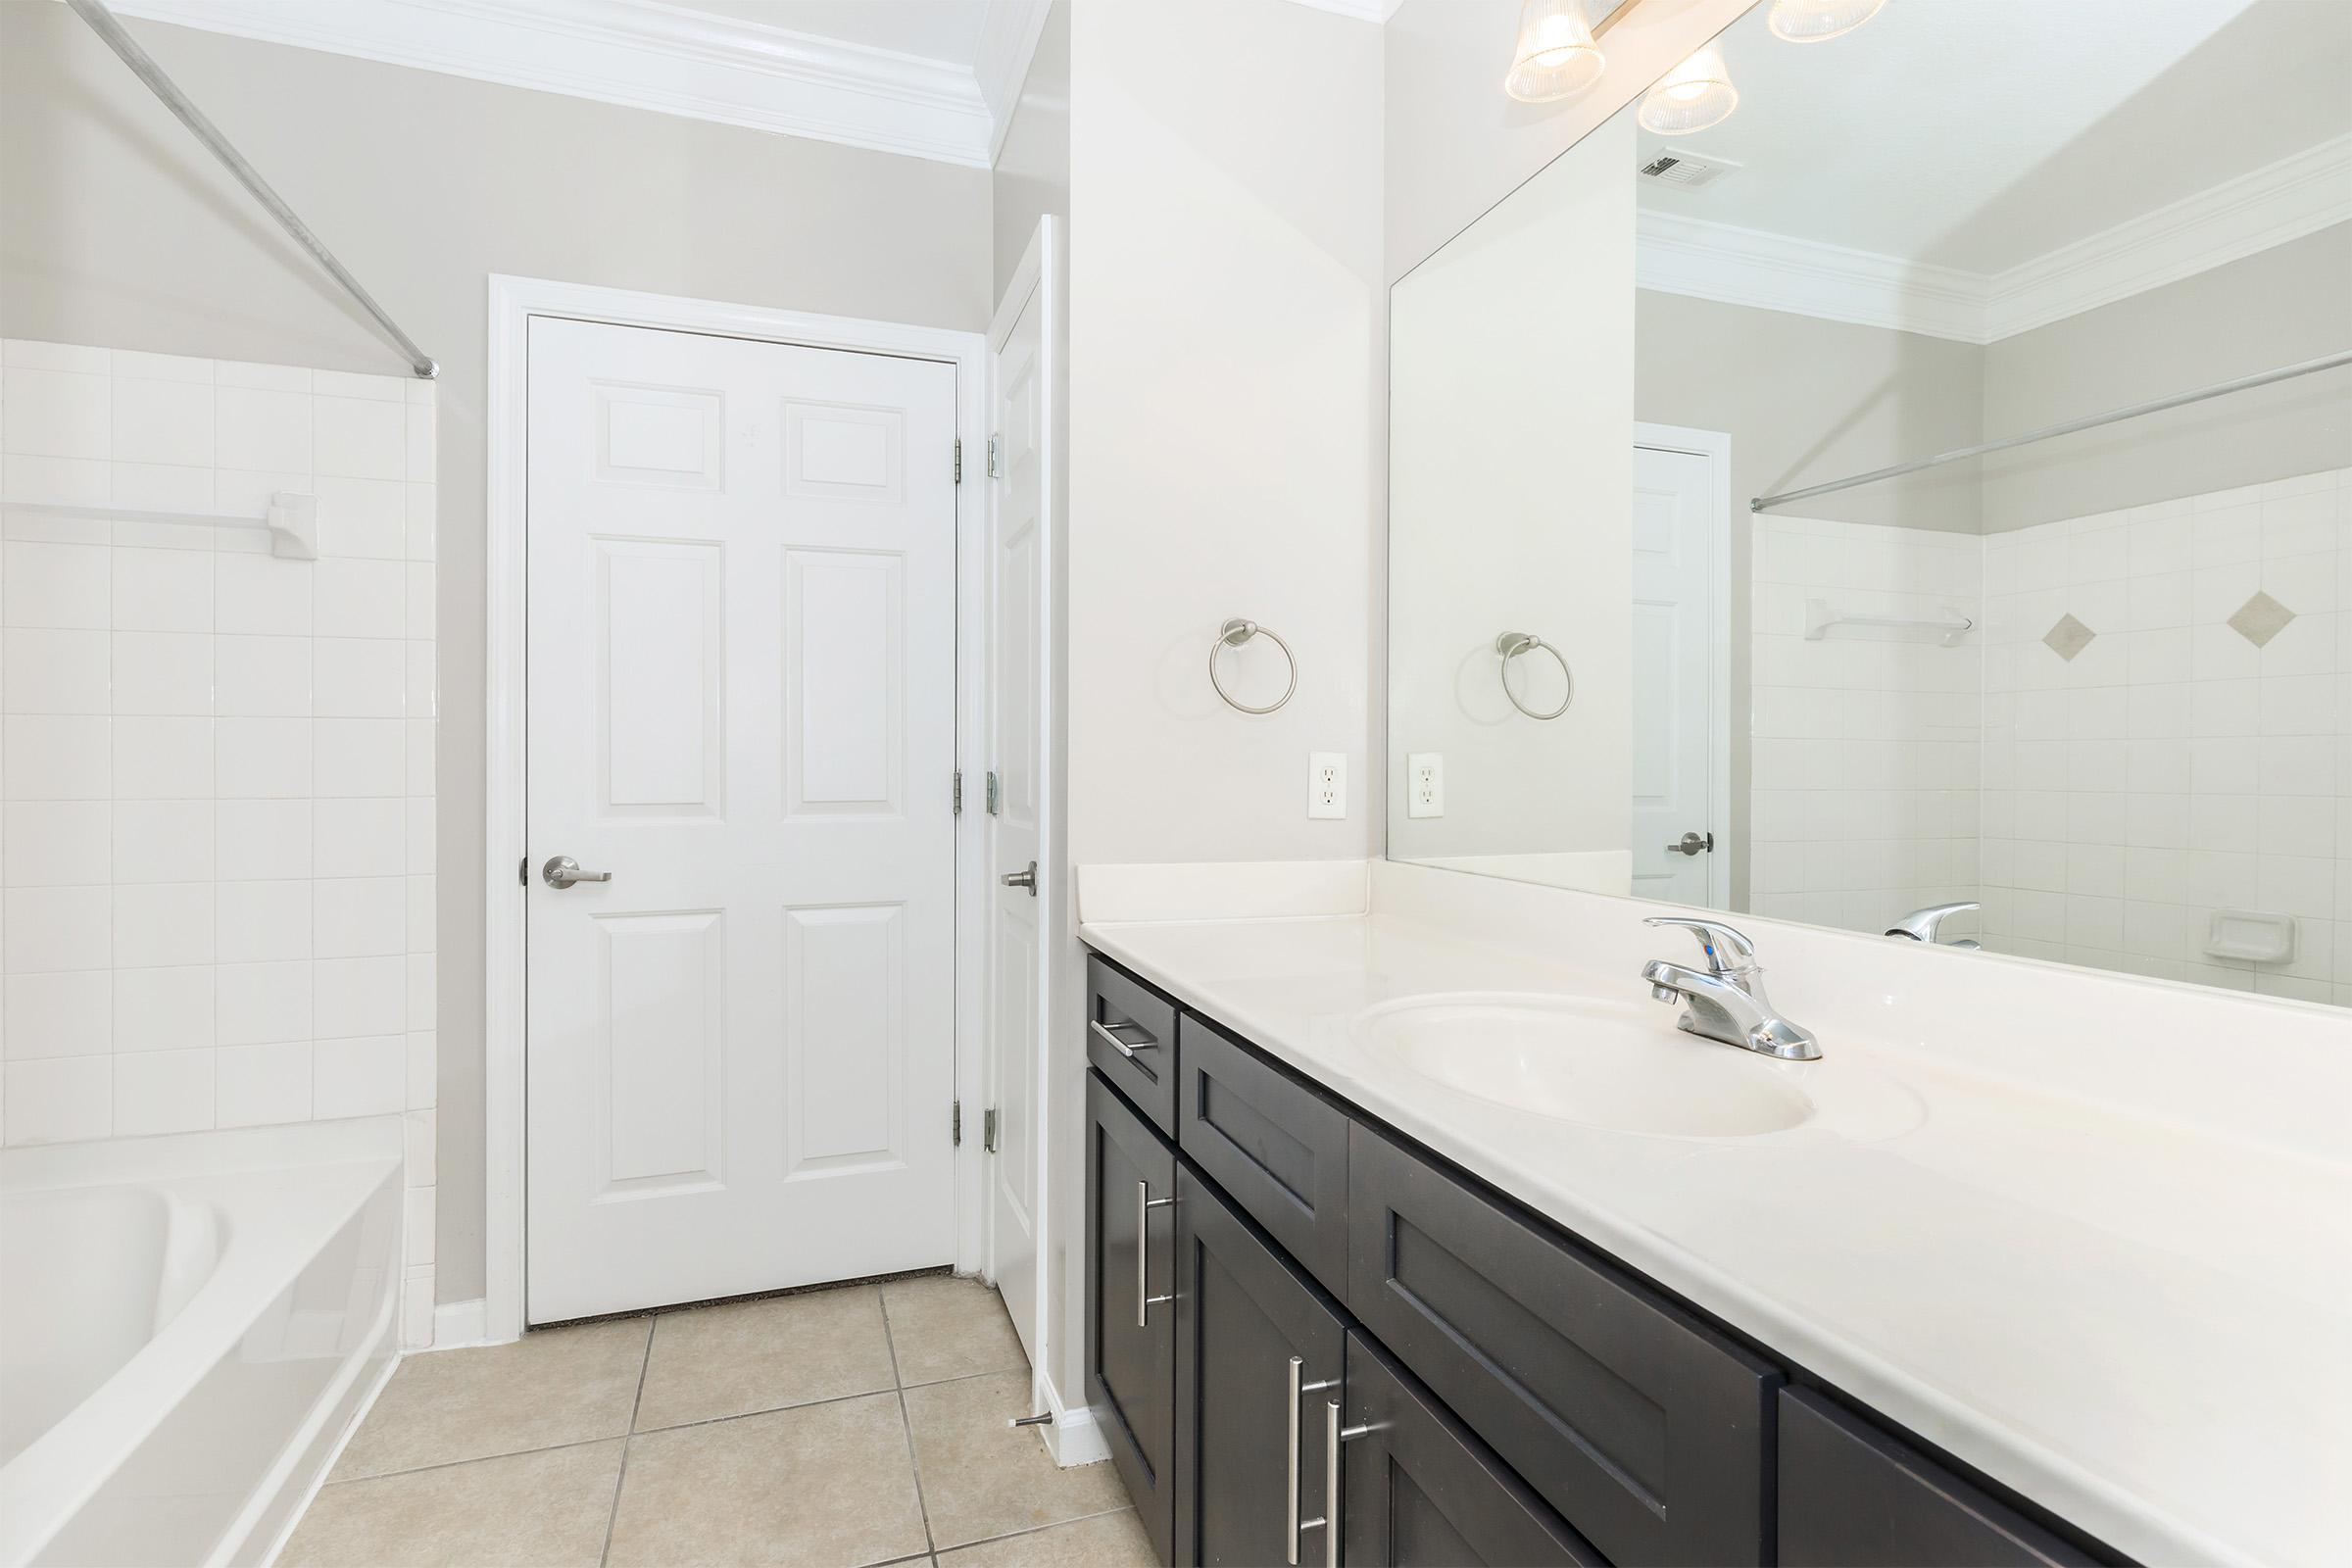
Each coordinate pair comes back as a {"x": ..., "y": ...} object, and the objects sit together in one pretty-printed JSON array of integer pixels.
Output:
[{"x": 1744, "y": 267}]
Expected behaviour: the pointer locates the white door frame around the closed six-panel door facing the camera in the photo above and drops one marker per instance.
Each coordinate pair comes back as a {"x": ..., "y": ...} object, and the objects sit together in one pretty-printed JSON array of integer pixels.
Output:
[{"x": 514, "y": 302}]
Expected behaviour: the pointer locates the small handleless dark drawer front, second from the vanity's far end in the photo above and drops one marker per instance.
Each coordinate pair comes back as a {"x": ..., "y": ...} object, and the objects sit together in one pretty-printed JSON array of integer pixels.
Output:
[{"x": 1274, "y": 1146}]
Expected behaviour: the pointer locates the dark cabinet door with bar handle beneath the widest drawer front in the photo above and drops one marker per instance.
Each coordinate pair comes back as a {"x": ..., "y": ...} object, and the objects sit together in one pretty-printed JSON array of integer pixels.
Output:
[{"x": 1422, "y": 1492}]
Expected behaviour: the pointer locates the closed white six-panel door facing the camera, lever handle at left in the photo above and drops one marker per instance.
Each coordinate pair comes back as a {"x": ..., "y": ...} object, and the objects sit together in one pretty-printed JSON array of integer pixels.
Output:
[{"x": 742, "y": 685}]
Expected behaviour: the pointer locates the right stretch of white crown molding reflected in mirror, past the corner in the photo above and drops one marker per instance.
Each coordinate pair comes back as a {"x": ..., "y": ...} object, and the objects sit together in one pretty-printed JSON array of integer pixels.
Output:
[{"x": 2285, "y": 201}]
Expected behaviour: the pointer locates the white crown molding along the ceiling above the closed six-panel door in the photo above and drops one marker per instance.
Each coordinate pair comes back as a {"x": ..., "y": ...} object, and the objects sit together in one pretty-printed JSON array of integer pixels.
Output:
[{"x": 641, "y": 55}]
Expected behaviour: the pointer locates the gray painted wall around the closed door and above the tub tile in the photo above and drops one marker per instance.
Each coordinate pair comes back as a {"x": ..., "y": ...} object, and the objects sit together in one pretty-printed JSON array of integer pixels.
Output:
[{"x": 121, "y": 232}]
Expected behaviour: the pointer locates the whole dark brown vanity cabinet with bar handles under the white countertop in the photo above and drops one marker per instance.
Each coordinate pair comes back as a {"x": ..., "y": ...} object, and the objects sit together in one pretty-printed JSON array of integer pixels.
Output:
[{"x": 1274, "y": 1278}]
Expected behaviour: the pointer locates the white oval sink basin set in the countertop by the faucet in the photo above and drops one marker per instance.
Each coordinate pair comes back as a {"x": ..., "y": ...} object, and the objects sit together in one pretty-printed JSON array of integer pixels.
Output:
[{"x": 1622, "y": 1066}]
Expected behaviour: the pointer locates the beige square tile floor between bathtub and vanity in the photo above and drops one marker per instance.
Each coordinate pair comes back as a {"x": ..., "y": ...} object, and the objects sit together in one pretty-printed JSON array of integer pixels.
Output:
[{"x": 824, "y": 1430}]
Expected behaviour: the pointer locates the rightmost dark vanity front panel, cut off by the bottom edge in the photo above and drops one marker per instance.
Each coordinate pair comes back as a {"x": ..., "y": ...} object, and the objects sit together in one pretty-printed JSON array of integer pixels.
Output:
[{"x": 1859, "y": 1499}]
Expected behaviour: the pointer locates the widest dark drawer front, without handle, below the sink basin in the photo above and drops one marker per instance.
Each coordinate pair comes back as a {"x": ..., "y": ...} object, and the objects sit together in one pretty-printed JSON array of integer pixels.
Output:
[{"x": 1645, "y": 1428}]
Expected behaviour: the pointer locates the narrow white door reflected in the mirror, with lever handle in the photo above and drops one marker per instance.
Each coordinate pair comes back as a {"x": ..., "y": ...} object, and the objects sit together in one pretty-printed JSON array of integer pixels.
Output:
[{"x": 1681, "y": 742}]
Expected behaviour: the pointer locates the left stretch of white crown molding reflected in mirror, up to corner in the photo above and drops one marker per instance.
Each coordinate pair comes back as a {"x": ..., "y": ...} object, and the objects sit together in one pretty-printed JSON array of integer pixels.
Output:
[{"x": 1746, "y": 267}]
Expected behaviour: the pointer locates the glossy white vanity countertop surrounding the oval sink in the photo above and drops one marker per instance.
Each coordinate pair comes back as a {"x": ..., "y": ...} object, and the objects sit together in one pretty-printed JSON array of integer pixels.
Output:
[{"x": 2137, "y": 1322}]
